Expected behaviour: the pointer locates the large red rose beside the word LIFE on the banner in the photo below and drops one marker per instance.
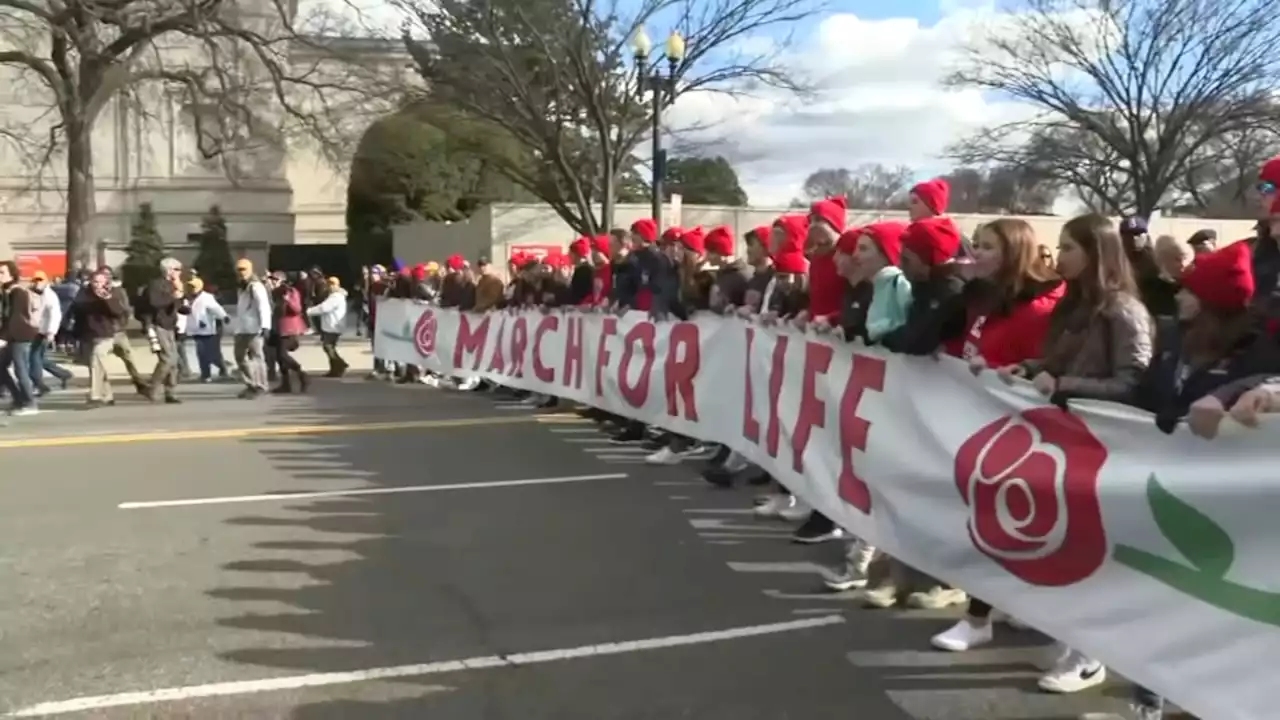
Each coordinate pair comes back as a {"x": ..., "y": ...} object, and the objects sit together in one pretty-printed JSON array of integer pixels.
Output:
[{"x": 1031, "y": 482}]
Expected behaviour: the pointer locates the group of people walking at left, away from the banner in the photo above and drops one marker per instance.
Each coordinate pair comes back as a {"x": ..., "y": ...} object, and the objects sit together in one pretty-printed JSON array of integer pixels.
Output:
[{"x": 89, "y": 317}]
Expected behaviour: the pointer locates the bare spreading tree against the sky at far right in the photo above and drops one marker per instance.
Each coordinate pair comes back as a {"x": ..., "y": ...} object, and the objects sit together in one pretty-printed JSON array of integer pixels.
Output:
[{"x": 1128, "y": 95}]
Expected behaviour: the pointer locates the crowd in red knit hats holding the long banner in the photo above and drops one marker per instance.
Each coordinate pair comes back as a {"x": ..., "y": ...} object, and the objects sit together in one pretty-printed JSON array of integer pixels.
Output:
[{"x": 1185, "y": 330}]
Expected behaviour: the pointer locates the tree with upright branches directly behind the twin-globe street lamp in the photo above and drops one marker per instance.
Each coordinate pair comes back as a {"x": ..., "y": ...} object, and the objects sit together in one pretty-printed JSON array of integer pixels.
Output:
[{"x": 555, "y": 83}]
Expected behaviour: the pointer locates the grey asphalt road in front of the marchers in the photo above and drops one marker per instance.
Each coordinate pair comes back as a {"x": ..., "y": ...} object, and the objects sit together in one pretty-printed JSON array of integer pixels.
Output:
[{"x": 618, "y": 591}]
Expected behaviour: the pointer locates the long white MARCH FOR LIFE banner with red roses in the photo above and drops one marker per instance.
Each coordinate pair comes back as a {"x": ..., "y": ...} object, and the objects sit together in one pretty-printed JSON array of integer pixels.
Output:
[{"x": 1151, "y": 553}]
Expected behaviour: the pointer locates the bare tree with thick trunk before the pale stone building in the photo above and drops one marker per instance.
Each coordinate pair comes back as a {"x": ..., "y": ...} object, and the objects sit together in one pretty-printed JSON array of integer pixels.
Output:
[{"x": 230, "y": 67}]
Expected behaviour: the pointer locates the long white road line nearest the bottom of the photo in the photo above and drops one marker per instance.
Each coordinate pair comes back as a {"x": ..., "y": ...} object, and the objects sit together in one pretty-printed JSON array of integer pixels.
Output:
[{"x": 487, "y": 662}]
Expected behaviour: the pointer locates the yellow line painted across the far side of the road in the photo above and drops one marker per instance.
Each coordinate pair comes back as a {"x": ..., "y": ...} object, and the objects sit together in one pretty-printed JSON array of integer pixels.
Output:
[{"x": 268, "y": 431}]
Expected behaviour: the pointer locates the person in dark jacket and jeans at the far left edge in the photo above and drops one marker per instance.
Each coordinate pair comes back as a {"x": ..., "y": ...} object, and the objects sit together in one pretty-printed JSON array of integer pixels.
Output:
[{"x": 20, "y": 326}]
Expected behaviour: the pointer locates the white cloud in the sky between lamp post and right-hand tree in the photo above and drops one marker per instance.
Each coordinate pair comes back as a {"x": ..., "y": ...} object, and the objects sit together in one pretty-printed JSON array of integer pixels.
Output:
[{"x": 881, "y": 101}]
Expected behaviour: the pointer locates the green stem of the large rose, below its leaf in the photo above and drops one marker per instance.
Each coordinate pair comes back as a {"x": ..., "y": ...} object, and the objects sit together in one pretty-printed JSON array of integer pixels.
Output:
[{"x": 1236, "y": 599}]
